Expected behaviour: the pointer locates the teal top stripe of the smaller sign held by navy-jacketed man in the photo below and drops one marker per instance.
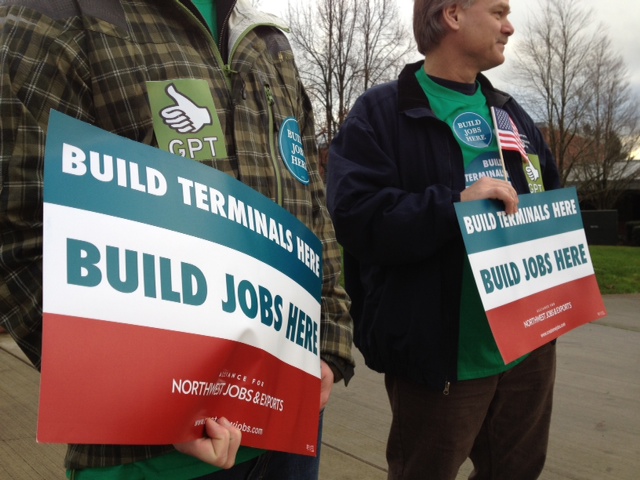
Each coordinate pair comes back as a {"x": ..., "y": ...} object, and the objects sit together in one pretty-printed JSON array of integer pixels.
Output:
[{"x": 485, "y": 226}]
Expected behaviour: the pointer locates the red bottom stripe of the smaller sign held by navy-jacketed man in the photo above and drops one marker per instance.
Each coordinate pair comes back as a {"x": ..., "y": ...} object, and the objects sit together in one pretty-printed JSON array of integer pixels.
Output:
[{"x": 522, "y": 326}]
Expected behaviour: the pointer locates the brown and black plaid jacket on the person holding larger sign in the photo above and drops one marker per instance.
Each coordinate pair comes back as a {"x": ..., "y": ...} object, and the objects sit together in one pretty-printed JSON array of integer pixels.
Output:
[{"x": 94, "y": 67}]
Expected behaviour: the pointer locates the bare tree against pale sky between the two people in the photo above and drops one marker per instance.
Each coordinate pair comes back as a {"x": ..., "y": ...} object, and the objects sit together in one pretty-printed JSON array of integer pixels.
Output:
[{"x": 344, "y": 47}]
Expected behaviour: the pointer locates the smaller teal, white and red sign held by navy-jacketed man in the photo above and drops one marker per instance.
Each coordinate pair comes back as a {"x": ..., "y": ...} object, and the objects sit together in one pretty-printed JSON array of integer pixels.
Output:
[{"x": 533, "y": 269}]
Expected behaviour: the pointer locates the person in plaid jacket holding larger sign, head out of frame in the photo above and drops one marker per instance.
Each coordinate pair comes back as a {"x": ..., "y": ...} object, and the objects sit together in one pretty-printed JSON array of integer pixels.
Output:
[{"x": 101, "y": 61}]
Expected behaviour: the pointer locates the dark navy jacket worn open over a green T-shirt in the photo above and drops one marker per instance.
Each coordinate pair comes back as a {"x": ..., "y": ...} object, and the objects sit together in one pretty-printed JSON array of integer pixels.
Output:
[{"x": 394, "y": 173}]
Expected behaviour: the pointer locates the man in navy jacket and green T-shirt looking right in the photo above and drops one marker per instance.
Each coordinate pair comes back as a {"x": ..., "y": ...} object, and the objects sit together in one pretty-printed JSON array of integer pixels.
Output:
[{"x": 408, "y": 151}]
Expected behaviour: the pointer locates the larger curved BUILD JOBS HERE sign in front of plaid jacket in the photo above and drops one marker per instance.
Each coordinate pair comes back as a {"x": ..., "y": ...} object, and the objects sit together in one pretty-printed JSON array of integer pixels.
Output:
[{"x": 172, "y": 293}]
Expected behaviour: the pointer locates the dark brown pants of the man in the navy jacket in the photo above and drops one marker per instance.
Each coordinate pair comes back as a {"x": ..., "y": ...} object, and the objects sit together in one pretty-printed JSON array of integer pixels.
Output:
[{"x": 500, "y": 422}]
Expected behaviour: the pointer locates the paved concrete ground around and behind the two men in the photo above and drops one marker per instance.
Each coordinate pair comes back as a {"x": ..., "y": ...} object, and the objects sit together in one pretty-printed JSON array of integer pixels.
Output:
[{"x": 595, "y": 427}]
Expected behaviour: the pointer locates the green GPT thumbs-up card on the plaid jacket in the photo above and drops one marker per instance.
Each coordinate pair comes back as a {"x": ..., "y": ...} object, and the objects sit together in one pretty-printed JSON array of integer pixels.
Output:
[{"x": 185, "y": 119}]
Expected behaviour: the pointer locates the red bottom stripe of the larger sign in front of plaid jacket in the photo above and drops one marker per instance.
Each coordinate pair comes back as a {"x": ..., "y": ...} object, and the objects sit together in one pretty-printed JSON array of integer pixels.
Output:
[{"x": 112, "y": 383}]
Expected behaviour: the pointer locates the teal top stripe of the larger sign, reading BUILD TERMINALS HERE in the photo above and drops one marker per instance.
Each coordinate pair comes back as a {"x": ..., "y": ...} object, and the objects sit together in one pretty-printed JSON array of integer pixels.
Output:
[{"x": 130, "y": 180}]
